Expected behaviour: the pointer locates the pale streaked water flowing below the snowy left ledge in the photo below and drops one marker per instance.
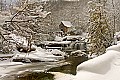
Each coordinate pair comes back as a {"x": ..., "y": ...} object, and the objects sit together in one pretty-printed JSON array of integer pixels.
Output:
[{"x": 15, "y": 69}]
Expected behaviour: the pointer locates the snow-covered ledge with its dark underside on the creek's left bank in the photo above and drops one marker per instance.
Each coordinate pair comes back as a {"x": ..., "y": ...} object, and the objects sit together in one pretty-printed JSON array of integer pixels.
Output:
[{"x": 39, "y": 55}]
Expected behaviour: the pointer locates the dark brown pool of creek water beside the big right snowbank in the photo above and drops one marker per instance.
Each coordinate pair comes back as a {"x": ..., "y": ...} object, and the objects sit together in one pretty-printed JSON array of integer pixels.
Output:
[{"x": 70, "y": 68}]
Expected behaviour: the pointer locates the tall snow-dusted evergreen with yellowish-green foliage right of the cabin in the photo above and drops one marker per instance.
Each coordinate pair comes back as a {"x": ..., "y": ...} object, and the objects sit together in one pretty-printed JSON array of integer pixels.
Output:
[{"x": 100, "y": 33}]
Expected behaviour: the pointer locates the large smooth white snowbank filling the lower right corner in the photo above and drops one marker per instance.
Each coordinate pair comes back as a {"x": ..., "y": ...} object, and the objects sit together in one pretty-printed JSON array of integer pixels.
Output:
[{"x": 104, "y": 67}]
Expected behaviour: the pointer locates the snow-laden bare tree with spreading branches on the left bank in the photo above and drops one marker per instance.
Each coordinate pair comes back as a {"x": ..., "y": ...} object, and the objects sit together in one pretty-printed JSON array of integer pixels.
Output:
[{"x": 24, "y": 20}]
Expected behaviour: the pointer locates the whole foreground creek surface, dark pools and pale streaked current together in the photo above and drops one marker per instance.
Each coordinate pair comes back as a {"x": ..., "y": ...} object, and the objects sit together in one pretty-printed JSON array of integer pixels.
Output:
[{"x": 42, "y": 70}]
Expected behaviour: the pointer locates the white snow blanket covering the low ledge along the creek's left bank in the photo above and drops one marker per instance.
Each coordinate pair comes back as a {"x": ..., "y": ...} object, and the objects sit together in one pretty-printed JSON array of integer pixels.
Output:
[{"x": 39, "y": 54}]
